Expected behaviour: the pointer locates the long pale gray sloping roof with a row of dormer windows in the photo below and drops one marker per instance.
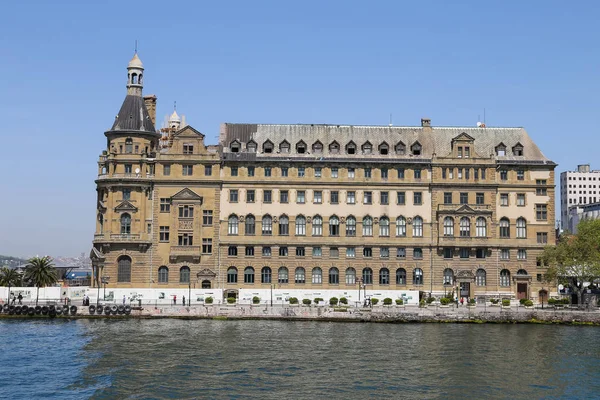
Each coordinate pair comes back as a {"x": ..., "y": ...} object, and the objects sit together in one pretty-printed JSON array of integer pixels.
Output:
[{"x": 435, "y": 141}]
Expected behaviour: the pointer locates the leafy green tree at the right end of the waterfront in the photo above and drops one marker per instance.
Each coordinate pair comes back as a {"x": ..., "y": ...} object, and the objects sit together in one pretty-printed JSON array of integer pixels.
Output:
[{"x": 576, "y": 258}]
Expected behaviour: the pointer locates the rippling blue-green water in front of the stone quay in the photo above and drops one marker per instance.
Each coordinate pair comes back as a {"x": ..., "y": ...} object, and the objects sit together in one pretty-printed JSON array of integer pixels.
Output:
[{"x": 164, "y": 359}]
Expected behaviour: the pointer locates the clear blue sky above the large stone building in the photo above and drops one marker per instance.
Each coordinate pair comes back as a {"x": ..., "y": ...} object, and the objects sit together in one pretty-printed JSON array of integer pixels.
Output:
[{"x": 528, "y": 63}]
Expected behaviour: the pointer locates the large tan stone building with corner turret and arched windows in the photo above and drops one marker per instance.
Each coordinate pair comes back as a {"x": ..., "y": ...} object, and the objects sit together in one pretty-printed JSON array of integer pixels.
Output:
[{"x": 326, "y": 207}]
